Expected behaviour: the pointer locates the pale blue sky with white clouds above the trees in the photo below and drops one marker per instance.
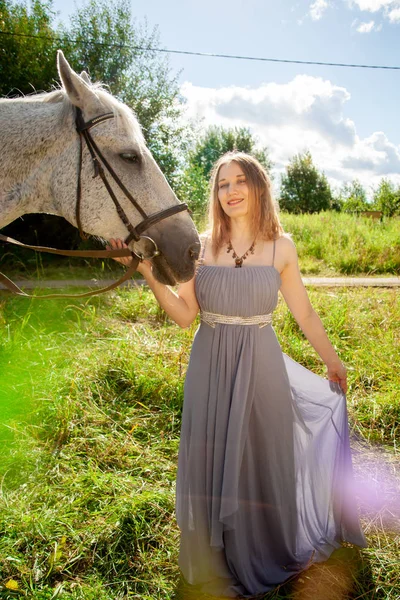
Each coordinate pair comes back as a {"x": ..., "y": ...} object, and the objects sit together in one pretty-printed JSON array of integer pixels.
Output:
[{"x": 348, "y": 118}]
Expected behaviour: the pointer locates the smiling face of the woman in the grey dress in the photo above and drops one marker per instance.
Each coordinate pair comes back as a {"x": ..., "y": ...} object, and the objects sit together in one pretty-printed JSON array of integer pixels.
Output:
[{"x": 233, "y": 190}]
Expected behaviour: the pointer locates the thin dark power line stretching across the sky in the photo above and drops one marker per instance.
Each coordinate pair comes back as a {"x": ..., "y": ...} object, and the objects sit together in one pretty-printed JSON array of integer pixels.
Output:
[{"x": 207, "y": 54}]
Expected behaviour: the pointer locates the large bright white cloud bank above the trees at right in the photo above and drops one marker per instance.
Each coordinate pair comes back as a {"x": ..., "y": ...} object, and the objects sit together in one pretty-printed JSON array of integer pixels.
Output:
[{"x": 305, "y": 113}]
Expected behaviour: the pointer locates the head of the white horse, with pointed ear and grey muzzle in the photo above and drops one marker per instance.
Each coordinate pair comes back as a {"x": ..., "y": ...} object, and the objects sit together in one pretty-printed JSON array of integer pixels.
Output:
[{"x": 121, "y": 142}]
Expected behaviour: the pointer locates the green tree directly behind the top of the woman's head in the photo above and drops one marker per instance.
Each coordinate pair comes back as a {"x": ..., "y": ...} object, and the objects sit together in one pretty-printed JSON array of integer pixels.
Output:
[{"x": 193, "y": 183}]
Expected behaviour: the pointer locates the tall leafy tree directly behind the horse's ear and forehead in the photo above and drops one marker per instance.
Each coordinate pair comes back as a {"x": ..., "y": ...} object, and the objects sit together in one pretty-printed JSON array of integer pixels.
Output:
[{"x": 114, "y": 49}]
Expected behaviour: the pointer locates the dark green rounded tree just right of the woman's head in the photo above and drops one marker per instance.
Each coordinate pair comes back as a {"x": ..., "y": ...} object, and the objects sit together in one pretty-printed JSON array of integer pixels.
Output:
[{"x": 303, "y": 188}]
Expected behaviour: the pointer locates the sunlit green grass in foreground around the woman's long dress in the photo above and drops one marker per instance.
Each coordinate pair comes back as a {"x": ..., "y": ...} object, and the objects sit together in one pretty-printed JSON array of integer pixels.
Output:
[{"x": 91, "y": 403}]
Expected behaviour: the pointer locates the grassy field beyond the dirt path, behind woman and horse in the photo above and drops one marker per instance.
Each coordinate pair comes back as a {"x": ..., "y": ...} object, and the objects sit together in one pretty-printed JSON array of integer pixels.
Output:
[{"x": 329, "y": 244}]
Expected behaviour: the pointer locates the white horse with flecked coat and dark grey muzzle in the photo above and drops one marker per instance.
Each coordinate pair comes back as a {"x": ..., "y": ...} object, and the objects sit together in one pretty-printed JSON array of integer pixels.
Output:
[{"x": 39, "y": 168}]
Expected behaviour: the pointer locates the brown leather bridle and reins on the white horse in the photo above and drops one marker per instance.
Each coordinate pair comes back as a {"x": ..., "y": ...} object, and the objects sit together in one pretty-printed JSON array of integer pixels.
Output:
[{"x": 135, "y": 233}]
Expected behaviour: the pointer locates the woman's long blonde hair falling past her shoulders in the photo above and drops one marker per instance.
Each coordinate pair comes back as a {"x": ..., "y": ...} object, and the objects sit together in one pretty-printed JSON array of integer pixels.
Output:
[{"x": 264, "y": 219}]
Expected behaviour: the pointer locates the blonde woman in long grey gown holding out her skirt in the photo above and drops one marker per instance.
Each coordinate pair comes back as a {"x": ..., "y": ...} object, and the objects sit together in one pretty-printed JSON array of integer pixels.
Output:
[{"x": 264, "y": 472}]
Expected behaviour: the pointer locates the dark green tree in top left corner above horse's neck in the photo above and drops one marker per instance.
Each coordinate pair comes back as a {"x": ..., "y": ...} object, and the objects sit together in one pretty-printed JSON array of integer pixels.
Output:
[{"x": 27, "y": 64}]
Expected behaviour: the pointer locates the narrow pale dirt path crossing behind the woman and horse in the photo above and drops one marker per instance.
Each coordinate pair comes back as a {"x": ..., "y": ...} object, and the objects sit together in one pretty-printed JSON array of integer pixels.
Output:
[{"x": 308, "y": 281}]
